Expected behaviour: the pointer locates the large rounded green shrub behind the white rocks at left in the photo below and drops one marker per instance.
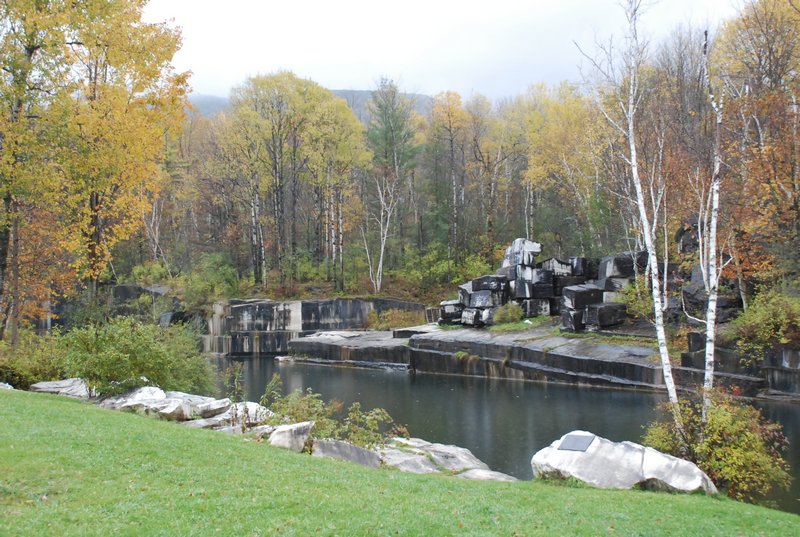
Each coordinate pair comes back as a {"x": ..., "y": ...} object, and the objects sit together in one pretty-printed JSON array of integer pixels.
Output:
[{"x": 126, "y": 354}]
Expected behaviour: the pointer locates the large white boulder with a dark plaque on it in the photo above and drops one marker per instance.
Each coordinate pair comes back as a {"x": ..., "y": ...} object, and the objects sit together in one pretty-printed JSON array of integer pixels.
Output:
[{"x": 606, "y": 464}]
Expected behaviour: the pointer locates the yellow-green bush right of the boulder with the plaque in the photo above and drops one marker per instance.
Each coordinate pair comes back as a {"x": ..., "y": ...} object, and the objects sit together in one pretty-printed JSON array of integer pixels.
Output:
[{"x": 738, "y": 449}]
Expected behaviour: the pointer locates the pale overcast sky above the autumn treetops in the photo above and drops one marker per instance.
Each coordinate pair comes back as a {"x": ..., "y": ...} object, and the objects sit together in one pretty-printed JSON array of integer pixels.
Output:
[{"x": 494, "y": 47}]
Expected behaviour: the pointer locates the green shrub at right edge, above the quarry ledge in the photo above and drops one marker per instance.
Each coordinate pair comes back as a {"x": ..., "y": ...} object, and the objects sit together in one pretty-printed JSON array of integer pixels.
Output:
[{"x": 771, "y": 321}]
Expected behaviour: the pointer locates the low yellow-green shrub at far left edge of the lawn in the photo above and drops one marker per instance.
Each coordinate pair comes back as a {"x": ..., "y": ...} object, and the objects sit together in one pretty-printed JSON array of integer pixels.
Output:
[{"x": 33, "y": 359}]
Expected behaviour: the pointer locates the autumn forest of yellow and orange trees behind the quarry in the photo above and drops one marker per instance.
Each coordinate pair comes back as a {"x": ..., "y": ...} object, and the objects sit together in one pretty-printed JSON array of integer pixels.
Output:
[{"x": 102, "y": 170}]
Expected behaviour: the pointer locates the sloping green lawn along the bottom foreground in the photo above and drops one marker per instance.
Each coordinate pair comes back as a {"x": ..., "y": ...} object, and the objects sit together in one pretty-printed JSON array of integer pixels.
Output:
[{"x": 68, "y": 468}]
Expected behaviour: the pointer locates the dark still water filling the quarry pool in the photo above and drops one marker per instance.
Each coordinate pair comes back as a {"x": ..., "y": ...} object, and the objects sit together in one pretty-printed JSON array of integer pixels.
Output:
[{"x": 502, "y": 422}]
